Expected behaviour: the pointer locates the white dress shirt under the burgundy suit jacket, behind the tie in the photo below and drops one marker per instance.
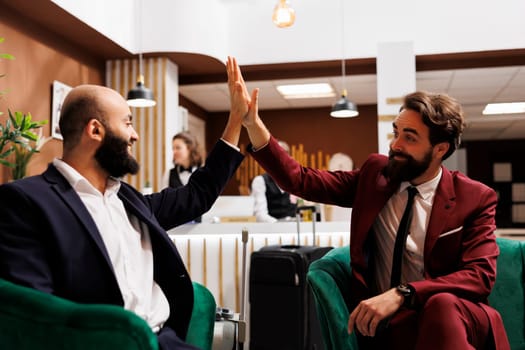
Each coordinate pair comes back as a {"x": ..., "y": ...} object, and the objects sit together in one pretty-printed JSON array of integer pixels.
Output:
[{"x": 385, "y": 230}]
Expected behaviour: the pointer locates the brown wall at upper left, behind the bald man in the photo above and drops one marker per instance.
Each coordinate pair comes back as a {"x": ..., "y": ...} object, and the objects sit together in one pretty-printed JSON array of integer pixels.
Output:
[{"x": 40, "y": 58}]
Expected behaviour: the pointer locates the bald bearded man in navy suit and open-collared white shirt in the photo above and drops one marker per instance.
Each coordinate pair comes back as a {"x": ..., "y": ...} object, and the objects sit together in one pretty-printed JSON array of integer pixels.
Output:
[{"x": 92, "y": 238}]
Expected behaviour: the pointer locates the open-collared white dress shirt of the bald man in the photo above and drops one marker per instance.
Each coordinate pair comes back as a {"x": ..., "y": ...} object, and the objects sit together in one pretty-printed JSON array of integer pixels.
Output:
[{"x": 128, "y": 245}]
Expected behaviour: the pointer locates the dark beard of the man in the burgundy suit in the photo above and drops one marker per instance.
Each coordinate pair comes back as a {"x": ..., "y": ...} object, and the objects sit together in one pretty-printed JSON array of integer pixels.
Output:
[{"x": 407, "y": 170}]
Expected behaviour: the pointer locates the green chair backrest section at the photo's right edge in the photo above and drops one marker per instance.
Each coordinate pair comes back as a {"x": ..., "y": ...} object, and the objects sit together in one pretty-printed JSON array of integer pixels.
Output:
[{"x": 508, "y": 295}]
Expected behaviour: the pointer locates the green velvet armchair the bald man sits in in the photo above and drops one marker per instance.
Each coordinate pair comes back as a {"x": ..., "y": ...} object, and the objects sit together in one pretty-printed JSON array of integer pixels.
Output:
[{"x": 30, "y": 319}]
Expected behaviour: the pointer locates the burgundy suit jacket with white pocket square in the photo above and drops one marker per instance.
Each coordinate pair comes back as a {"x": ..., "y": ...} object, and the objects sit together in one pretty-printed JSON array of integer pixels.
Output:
[{"x": 460, "y": 247}]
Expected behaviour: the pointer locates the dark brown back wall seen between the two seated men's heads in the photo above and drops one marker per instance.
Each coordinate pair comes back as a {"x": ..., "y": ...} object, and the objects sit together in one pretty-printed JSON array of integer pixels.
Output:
[{"x": 314, "y": 128}]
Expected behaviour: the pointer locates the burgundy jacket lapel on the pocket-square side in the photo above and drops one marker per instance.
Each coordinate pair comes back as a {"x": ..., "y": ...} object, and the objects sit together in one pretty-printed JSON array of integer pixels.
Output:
[{"x": 442, "y": 209}]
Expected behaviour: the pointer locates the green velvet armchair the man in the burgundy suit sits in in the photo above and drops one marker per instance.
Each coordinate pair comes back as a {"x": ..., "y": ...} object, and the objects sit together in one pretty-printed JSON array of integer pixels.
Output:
[{"x": 329, "y": 277}]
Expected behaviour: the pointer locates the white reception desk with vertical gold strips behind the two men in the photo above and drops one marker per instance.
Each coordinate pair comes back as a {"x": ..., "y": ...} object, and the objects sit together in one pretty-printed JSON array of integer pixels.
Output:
[{"x": 213, "y": 251}]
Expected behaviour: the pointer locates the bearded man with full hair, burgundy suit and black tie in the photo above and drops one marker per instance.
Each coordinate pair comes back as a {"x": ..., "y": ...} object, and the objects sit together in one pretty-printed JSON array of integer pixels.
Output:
[{"x": 448, "y": 262}]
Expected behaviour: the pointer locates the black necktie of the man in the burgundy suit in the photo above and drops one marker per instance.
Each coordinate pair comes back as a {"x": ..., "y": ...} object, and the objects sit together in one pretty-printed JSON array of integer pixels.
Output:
[{"x": 401, "y": 237}]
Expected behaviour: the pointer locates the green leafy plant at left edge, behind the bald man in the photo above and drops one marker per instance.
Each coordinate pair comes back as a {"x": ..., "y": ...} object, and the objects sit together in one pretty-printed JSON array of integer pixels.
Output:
[{"x": 18, "y": 140}]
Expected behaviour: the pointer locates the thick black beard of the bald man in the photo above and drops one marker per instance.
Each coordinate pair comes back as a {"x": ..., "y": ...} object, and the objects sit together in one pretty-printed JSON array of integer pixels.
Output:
[{"x": 113, "y": 156}]
